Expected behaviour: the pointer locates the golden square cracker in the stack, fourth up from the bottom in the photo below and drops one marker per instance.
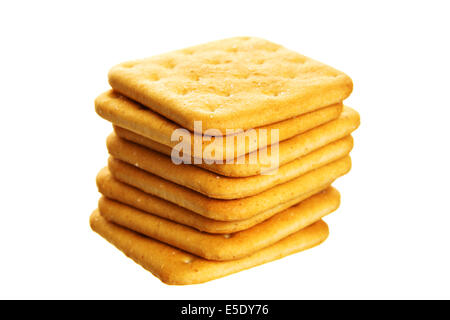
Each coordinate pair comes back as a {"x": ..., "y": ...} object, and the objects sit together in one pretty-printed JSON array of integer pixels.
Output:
[{"x": 229, "y": 210}]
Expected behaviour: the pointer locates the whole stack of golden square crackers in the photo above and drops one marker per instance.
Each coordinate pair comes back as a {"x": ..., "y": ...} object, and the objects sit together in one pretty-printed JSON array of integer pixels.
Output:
[{"x": 222, "y": 157}]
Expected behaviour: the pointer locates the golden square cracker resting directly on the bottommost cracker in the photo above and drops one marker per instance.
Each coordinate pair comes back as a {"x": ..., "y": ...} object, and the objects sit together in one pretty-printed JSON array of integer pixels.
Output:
[{"x": 219, "y": 246}]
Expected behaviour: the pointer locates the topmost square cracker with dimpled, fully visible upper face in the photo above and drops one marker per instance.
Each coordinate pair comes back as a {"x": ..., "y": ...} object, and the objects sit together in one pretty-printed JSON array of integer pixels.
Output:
[{"x": 236, "y": 83}]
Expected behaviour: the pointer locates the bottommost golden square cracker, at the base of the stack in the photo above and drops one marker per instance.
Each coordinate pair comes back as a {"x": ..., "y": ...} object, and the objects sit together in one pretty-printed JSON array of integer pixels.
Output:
[{"x": 174, "y": 266}]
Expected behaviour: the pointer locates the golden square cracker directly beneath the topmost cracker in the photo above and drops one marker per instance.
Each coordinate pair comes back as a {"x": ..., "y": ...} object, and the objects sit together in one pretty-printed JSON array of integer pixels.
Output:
[{"x": 127, "y": 114}]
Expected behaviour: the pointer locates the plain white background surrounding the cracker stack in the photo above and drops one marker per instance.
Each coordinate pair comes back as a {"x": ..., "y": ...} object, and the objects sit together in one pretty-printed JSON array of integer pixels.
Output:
[{"x": 389, "y": 239}]
